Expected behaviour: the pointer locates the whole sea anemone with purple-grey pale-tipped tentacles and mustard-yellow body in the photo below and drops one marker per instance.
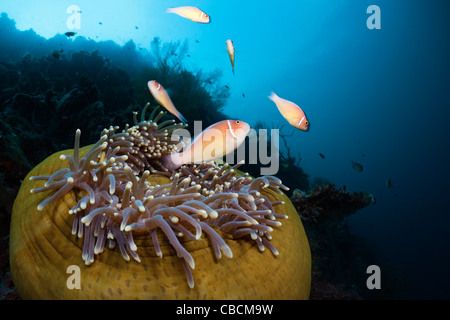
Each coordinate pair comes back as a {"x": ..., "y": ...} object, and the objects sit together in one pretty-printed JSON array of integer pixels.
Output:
[{"x": 110, "y": 193}]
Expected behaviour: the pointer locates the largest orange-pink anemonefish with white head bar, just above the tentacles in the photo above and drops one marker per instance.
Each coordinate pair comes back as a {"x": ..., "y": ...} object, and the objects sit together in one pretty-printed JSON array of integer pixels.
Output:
[{"x": 221, "y": 138}]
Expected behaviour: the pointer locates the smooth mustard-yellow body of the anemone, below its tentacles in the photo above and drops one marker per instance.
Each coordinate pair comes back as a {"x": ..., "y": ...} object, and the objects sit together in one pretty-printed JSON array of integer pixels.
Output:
[{"x": 42, "y": 248}]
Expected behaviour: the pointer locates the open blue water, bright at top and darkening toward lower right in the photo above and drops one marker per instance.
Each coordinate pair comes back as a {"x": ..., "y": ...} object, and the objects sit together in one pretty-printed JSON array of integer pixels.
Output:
[{"x": 380, "y": 97}]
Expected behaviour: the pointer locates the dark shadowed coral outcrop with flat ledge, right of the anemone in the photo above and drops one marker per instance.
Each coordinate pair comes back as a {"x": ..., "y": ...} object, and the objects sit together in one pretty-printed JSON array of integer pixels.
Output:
[{"x": 339, "y": 257}]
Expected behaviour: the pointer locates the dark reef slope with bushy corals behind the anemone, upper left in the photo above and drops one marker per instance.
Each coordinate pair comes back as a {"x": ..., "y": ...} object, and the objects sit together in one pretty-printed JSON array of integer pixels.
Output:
[{"x": 50, "y": 85}]
